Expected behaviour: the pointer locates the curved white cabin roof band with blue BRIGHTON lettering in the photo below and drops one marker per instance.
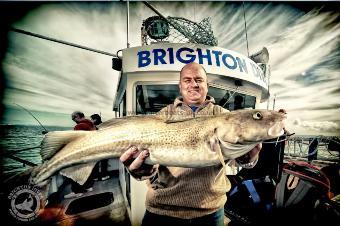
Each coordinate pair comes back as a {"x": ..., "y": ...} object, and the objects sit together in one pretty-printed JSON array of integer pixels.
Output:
[{"x": 164, "y": 61}]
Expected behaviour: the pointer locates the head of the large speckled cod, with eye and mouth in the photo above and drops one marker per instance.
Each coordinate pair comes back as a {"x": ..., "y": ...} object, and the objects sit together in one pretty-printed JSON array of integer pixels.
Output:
[{"x": 250, "y": 126}]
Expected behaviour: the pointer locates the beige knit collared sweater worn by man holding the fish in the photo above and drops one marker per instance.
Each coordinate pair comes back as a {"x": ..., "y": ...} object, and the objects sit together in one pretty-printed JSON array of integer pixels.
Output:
[{"x": 187, "y": 192}]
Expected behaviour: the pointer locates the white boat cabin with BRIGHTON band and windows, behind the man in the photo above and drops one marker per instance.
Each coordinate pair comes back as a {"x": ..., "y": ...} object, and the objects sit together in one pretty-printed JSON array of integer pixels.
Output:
[{"x": 149, "y": 81}]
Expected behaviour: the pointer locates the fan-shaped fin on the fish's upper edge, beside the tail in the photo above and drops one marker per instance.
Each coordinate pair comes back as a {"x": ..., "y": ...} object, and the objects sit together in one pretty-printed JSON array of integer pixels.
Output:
[{"x": 54, "y": 141}]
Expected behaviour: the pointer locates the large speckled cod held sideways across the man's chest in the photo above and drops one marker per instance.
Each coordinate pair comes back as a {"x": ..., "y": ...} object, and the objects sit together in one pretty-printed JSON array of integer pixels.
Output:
[{"x": 196, "y": 142}]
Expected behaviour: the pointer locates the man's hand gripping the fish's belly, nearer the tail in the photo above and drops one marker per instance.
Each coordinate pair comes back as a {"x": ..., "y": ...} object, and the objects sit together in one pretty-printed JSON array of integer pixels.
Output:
[{"x": 134, "y": 159}]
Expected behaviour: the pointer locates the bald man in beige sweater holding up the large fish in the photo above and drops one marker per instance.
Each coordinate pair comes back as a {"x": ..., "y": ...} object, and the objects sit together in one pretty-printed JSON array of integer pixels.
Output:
[{"x": 184, "y": 196}]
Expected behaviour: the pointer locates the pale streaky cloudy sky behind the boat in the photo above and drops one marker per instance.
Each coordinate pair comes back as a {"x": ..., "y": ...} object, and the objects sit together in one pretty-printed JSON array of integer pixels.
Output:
[{"x": 53, "y": 80}]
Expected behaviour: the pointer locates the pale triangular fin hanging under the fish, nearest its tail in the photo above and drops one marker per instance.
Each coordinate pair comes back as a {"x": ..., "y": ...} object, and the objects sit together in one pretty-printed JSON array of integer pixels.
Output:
[{"x": 79, "y": 173}]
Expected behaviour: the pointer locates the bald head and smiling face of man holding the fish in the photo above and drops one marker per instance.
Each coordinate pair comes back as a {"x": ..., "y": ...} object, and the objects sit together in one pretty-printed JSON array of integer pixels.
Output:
[{"x": 193, "y": 84}]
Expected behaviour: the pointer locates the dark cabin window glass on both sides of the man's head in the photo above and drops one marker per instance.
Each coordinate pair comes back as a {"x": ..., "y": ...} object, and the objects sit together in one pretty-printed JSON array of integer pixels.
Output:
[{"x": 152, "y": 98}]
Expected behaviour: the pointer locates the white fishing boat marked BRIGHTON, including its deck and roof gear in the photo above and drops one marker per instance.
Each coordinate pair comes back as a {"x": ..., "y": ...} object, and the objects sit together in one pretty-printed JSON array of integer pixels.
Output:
[{"x": 148, "y": 82}]
